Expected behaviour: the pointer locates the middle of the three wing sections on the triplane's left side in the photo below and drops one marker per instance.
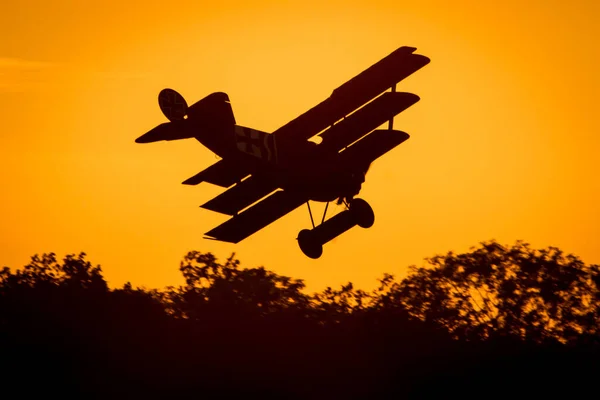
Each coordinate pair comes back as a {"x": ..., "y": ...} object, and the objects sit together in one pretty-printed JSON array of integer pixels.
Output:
[{"x": 241, "y": 195}]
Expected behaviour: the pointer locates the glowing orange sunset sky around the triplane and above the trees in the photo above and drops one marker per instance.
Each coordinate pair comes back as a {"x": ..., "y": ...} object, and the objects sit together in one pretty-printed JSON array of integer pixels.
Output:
[{"x": 503, "y": 143}]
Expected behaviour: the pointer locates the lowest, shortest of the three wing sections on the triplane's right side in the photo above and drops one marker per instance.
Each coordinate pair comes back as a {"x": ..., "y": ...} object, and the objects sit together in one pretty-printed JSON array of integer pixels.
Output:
[{"x": 372, "y": 146}]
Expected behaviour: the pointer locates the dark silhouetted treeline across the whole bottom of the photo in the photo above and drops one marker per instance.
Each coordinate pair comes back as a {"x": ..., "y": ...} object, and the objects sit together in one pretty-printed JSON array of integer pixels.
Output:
[{"x": 497, "y": 320}]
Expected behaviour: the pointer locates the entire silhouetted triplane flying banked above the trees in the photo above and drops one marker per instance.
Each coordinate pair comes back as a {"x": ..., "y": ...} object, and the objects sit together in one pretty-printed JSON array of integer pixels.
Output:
[{"x": 285, "y": 165}]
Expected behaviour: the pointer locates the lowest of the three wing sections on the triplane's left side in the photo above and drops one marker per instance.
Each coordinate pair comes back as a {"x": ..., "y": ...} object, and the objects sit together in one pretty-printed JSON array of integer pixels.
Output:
[{"x": 257, "y": 217}]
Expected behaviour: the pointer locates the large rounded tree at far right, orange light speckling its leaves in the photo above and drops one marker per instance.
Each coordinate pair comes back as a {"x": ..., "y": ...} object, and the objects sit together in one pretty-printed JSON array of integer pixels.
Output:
[{"x": 508, "y": 291}]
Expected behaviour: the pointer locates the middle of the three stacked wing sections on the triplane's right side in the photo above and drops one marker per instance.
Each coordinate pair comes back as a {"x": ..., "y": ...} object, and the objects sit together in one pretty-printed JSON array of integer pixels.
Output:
[{"x": 366, "y": 119}]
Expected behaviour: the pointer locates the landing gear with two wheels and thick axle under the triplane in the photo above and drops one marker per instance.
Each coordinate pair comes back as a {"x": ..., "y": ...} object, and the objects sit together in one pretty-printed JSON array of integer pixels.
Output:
[{"x": 311, "y": 241}]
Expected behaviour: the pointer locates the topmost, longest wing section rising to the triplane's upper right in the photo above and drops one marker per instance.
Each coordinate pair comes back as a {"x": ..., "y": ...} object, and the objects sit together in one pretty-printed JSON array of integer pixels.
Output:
[{"x": 351, "y": 95}]
